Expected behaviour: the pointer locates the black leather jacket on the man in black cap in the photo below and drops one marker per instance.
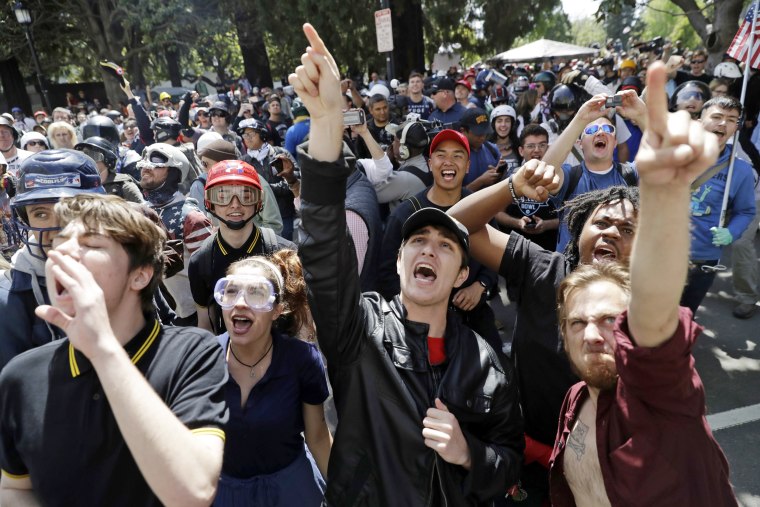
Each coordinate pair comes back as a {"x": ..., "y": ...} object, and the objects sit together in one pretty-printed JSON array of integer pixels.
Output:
[{"x": 383, "y": 383}]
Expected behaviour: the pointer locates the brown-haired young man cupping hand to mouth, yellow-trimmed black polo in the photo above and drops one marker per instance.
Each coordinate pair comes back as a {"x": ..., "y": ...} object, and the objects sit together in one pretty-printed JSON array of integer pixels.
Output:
[{"x": 123, "y": 411}]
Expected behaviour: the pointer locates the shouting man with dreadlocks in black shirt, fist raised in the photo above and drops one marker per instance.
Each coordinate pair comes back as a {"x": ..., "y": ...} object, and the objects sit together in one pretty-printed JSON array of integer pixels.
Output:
[{"x": 602, "y": 225}]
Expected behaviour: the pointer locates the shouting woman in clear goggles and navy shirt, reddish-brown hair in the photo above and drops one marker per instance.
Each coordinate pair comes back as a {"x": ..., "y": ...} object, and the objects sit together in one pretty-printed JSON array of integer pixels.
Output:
[{"x": 275, "y": 390}]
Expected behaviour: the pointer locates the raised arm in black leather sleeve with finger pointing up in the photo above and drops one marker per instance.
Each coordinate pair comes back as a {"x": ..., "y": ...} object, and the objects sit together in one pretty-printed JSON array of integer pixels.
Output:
[{"x": 326, "y": 249}]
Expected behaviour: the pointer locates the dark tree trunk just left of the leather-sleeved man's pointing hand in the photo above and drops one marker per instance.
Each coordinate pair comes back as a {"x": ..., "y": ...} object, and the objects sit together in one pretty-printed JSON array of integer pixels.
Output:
[{"x": 252, "y": 47}]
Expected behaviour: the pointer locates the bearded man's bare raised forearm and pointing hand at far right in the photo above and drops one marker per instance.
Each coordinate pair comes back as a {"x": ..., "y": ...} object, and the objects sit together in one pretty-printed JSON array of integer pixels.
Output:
[{"x": 674, "y": 151}]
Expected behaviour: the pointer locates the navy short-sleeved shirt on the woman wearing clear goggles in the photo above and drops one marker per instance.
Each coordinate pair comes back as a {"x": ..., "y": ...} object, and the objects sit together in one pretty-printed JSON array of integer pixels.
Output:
[{"x": 264, "y": 436}]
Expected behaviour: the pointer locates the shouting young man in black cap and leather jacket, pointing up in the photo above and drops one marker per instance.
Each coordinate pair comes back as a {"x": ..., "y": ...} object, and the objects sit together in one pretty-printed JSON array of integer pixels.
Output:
[{"x": 428, "y": 415}]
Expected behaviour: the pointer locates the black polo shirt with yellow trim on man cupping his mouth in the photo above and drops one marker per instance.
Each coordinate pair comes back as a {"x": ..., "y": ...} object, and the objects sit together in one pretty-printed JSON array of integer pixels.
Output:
[{"x": 57, "y": 427}]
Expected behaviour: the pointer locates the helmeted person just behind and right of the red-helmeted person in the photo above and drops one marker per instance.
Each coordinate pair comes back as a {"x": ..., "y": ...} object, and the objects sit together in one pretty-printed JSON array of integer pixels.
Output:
[{"x": 275, "y": 165}]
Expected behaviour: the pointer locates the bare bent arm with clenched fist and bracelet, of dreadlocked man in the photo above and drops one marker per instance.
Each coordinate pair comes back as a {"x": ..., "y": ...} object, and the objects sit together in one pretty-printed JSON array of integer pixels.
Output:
[{"x": 535, "y": 180}]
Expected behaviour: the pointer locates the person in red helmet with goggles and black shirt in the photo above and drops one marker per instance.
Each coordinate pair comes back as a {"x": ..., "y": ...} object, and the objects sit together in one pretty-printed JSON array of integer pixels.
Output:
[{"x": 233, "y": 196}]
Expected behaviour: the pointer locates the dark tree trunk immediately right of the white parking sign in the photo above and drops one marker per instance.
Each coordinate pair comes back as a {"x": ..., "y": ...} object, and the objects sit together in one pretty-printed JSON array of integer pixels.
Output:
[{"x": 408, "y": 44}]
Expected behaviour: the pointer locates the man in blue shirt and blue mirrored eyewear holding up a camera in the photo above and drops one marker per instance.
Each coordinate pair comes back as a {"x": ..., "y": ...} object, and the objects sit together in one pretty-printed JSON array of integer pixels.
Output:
[{"x": 598, "y": 139}]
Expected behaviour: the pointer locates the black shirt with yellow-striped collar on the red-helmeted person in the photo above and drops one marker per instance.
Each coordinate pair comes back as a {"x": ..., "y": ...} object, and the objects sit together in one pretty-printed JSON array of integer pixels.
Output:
[{"x": 210, "y": 262}]
